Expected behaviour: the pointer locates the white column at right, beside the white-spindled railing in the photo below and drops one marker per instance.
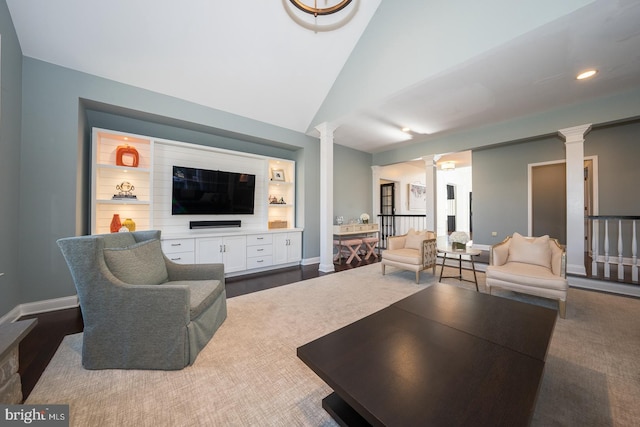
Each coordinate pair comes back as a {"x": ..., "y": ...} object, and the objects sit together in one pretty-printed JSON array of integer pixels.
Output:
[{"x": 574, "y": 143}]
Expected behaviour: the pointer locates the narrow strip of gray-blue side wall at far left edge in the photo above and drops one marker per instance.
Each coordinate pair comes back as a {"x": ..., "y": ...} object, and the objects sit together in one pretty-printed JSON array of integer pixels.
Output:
[{"x": 10, "y": 116}]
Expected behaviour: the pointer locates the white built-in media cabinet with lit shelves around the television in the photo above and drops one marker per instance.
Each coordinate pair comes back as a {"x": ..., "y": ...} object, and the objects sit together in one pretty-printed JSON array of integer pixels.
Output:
[{"x": 268, "y": 239}]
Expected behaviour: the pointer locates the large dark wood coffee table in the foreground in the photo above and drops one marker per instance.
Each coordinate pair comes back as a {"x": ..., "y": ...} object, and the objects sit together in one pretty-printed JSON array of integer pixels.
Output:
[{"x": 444, "y": 356}]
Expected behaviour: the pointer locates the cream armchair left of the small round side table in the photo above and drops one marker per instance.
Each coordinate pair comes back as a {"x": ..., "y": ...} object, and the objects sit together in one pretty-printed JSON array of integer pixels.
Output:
[{"x": 415, "y": 251}]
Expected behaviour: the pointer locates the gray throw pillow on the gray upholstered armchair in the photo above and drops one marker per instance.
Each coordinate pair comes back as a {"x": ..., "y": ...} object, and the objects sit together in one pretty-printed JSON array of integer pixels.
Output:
[{"x": 139, "y": 264}]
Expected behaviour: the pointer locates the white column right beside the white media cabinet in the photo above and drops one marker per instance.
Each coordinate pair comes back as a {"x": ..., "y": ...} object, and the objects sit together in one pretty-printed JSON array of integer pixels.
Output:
[{"x": 326, "y": 197}]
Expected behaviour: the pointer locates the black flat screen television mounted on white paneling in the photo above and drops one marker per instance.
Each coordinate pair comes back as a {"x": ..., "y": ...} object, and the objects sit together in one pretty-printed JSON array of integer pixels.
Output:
[{"x": 208, "y": 192}]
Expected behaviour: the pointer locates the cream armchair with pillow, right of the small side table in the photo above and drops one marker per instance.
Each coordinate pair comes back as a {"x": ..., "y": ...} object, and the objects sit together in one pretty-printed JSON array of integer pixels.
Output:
[{"x": 535, "y": 266}]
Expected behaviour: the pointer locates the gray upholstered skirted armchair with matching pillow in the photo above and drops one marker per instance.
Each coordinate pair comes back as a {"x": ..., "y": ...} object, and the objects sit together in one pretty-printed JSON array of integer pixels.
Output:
[{"x": 140, "y": 310}]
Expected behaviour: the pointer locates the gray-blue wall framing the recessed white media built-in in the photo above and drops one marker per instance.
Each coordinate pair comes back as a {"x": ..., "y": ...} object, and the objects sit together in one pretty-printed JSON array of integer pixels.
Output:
[{"x": 54, "y": 158}]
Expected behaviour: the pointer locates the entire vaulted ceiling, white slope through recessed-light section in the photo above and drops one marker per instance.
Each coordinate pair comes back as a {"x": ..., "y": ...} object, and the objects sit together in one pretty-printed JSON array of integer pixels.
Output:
[{"x": 371, "y": 69}]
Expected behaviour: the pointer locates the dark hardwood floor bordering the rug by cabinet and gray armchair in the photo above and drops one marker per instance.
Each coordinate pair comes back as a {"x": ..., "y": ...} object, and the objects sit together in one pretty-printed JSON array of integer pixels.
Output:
[{"x": 37, "y": 348}]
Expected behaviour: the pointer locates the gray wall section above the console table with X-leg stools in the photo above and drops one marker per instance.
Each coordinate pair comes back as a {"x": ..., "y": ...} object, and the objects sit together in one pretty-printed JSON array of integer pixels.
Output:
[{"x": 352, "y": 183}]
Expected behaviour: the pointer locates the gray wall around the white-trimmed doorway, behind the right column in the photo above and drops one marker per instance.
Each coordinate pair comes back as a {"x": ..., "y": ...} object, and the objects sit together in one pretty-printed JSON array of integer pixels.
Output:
[{"x": 500, "y": 178}]
